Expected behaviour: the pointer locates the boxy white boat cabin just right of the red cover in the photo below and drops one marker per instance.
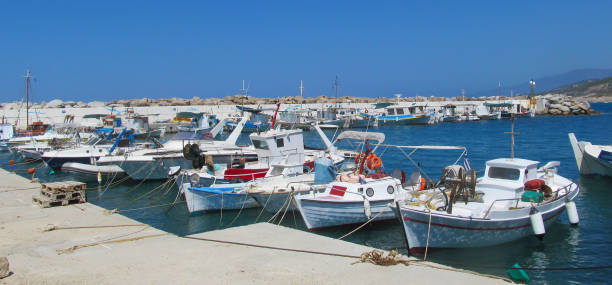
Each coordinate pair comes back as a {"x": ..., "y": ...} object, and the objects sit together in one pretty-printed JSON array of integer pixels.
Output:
[{"x": 280, "y": 147}]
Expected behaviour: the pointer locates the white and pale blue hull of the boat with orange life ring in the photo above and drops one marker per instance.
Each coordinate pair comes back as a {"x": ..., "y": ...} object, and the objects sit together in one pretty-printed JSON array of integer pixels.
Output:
[{"x": 319, "y": 213}]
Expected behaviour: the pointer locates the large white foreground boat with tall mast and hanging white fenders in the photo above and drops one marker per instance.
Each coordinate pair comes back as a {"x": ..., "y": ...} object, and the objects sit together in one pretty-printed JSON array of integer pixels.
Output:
[{"x": 514, "y": 199}]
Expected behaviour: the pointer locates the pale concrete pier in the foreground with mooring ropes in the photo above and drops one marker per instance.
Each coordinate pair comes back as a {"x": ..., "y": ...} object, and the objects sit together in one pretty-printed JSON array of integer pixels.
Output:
[{"x": 139, "y": 254}]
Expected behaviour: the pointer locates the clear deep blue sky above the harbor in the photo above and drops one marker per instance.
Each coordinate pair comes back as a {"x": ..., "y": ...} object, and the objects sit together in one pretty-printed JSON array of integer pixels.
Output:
[{"x": 106, "y": 50}]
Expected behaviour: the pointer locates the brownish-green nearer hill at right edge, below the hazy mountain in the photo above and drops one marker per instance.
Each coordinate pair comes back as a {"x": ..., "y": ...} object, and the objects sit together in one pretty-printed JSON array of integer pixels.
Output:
[{"x": 595, "y": 90}]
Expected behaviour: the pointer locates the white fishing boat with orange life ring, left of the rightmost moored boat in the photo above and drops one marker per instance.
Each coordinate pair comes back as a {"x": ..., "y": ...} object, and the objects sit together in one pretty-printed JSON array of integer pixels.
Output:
[{"x": 355, "y": 197}]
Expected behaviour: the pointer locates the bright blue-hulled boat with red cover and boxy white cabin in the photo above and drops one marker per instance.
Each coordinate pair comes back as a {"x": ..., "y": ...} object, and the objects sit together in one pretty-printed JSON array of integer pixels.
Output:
[{"x": 280, "y": 153}]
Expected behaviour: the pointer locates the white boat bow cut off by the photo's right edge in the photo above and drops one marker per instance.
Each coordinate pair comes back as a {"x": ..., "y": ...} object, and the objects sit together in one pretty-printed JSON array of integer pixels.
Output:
[{"x": 590, "y": 158}]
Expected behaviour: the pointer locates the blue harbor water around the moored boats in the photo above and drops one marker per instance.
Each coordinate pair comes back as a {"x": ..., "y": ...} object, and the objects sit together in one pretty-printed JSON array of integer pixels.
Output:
[{"x": 541, "y": 138}]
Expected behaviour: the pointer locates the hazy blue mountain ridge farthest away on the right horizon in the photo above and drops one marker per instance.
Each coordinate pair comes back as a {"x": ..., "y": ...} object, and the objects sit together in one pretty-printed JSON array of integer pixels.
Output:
[{"x": 551, "y": 82}]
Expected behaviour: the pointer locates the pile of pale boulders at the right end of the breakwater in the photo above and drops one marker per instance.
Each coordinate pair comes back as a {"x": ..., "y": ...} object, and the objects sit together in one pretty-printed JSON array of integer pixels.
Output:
[{"x": 563, "y": 105}]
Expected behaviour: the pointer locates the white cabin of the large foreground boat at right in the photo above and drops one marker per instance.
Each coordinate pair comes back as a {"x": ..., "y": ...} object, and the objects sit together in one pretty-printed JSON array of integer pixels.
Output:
[{"x": 506, "y": 177}]
